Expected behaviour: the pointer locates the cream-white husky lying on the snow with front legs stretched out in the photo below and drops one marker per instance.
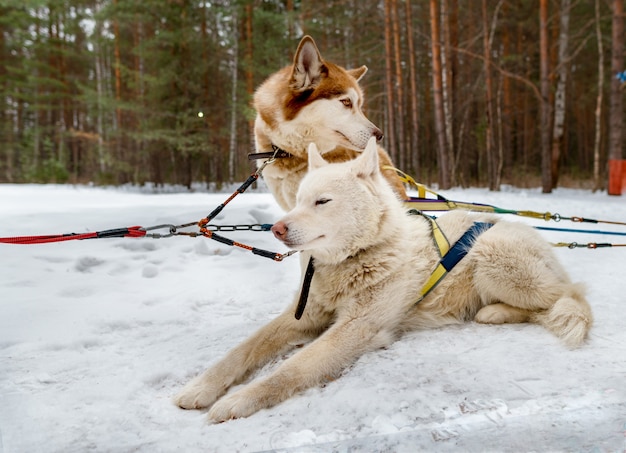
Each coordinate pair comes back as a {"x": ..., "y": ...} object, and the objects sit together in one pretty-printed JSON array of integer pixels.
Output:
[{"x": 371, "y": 262}]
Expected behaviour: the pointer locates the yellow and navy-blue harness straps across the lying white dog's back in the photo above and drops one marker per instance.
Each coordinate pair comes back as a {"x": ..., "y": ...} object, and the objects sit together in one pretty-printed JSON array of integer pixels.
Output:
[{"x": 450, "y": 256}]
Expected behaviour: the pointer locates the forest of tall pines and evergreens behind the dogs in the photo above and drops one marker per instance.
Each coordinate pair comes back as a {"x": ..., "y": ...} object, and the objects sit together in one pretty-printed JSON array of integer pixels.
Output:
[{"x": 480, "y": 92}]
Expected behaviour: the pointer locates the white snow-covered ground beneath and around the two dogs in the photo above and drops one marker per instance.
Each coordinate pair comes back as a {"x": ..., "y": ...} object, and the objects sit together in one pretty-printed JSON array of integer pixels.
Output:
[{"x": 96, "y": 336}]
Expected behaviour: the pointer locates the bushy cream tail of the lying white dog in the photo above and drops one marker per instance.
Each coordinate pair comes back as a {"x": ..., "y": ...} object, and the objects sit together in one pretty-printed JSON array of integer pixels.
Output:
[{"x": 570, "y": 318}]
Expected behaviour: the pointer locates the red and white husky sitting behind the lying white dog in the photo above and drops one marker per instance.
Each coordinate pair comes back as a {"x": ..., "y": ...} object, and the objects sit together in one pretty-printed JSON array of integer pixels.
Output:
[{"x": 312, "y": 101}]
